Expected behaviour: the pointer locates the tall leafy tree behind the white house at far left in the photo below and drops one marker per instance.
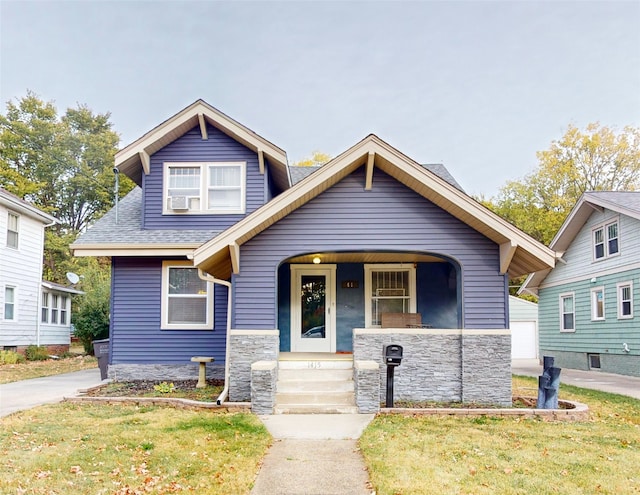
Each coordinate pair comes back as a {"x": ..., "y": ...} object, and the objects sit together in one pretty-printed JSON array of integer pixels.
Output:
[{"x": 62, "y": 165}]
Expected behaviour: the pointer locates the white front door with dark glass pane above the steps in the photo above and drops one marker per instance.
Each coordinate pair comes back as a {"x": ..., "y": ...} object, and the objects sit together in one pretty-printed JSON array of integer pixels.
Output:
[{"x": 313, "y": 308}]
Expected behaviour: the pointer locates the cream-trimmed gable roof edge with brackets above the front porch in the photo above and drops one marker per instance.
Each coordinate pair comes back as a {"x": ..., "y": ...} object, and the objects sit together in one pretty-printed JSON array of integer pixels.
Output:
[{"x": 519, "y": 253}]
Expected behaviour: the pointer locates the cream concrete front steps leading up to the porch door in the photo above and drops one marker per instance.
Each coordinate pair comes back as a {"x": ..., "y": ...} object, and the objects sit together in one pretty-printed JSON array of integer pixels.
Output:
[{"x": 315, "y": 383}]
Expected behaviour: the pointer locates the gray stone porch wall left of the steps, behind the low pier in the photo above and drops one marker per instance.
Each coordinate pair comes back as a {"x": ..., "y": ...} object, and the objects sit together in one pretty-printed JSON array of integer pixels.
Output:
[{"x": 248, "y": 347}]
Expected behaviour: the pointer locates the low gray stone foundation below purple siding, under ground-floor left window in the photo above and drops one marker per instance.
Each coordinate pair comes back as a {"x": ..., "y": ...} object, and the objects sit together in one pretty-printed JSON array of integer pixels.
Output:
[{"x": 162, "y": 372}]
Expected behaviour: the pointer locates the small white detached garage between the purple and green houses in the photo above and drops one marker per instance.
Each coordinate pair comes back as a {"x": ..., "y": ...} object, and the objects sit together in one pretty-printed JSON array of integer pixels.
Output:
[{"x": 523, "y": 321}]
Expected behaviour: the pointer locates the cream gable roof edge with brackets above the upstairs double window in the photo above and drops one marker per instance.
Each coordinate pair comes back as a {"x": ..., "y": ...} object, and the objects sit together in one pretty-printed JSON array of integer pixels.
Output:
[{"x": 133, "y": 160}]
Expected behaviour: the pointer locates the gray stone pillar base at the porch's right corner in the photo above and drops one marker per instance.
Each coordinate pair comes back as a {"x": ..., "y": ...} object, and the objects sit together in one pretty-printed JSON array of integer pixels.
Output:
[{"x": 486, "y": 368}]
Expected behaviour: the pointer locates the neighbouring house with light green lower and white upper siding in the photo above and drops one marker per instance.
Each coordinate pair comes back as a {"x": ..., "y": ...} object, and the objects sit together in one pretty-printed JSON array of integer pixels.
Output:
[{"x": 588, "y": 310}]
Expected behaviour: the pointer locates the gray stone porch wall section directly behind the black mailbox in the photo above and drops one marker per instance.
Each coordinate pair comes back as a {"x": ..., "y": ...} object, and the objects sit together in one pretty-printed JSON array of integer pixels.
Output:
[{"x": 430, "y": 368}]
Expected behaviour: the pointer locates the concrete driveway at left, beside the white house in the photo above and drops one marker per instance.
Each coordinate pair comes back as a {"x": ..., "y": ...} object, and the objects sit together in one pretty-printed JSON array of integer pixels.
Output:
[{"x": 25, "y": 394}]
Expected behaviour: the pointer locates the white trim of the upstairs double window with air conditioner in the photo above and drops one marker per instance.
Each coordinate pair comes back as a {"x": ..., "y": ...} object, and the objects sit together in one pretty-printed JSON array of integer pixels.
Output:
[{"x": 204, "y": 186}]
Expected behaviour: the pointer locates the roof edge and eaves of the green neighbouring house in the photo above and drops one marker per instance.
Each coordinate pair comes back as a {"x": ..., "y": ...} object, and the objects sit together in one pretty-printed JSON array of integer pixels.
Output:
[{"x": 623, "y": 202}]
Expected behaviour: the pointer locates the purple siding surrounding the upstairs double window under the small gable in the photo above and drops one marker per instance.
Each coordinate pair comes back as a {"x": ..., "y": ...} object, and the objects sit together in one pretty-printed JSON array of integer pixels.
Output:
[{"x": 191, "y": 147}]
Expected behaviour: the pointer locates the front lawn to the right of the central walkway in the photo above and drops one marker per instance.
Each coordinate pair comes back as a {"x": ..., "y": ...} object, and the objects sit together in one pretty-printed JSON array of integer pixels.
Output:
[{"x": 425, "y": 455}]
